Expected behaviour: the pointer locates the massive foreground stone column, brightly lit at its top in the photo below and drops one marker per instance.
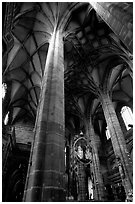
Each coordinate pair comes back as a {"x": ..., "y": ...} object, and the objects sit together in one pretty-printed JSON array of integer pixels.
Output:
[{"x": 46, "y": 177}]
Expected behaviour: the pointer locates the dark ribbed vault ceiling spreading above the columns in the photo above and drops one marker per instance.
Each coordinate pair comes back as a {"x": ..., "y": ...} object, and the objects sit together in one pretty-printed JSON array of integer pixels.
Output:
[{"x": 93, "y": 58}]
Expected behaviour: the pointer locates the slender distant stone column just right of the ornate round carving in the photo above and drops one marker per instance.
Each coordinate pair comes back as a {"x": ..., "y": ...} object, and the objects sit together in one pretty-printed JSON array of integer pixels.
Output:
[{"x": 98, "y": 181}]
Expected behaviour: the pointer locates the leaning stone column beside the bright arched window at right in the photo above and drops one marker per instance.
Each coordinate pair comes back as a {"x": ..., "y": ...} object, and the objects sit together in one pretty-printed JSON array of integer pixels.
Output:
[{"x": 118, "y": 141}]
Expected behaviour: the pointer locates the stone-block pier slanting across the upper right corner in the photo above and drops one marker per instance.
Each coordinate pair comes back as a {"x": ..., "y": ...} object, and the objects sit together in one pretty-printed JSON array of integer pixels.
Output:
[{"x": 120, "y": 19}]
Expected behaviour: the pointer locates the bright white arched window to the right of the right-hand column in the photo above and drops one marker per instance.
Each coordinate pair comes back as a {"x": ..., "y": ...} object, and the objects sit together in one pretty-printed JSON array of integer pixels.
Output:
[{"x": 127, "y": 116}]
